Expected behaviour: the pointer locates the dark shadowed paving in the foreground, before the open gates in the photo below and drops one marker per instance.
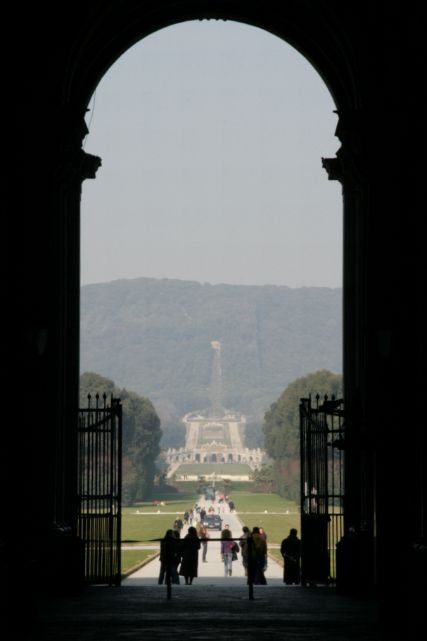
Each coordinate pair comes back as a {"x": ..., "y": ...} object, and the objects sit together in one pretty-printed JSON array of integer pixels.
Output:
[{"x": 204, "y": 613}]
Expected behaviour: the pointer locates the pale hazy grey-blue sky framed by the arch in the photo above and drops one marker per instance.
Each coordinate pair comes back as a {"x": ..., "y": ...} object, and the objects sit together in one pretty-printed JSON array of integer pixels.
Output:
[{"x": 211, "y": 136}]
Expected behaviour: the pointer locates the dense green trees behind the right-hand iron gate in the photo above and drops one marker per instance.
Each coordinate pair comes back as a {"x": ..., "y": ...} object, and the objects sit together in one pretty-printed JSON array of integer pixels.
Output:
[{"x": 281, "y": 427}]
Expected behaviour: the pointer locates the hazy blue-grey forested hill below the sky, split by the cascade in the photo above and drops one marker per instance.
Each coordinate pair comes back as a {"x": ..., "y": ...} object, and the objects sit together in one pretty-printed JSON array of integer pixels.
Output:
[{"x": 154, "y": 337}]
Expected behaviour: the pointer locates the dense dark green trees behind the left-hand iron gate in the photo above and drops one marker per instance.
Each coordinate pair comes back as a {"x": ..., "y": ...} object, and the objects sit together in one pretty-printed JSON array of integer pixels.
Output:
[{"x": 141, "y": 434}]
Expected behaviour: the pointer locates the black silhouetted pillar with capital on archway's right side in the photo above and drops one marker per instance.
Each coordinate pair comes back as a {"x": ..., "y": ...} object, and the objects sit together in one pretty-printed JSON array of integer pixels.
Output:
[{"x": 348, "y": 167}]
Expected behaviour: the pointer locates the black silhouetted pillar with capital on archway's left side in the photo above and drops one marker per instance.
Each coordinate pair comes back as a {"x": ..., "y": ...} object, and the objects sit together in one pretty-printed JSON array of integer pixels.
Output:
[{"x": 74, "y": 165}]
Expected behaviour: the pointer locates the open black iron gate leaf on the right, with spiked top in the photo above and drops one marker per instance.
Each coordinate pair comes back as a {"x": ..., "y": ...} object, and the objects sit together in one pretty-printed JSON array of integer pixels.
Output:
[{"x": 322, "y": 486}]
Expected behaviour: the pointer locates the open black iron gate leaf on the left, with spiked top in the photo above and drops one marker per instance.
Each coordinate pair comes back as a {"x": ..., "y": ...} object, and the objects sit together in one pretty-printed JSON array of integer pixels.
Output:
[{"x": 99, "y": 489}]
